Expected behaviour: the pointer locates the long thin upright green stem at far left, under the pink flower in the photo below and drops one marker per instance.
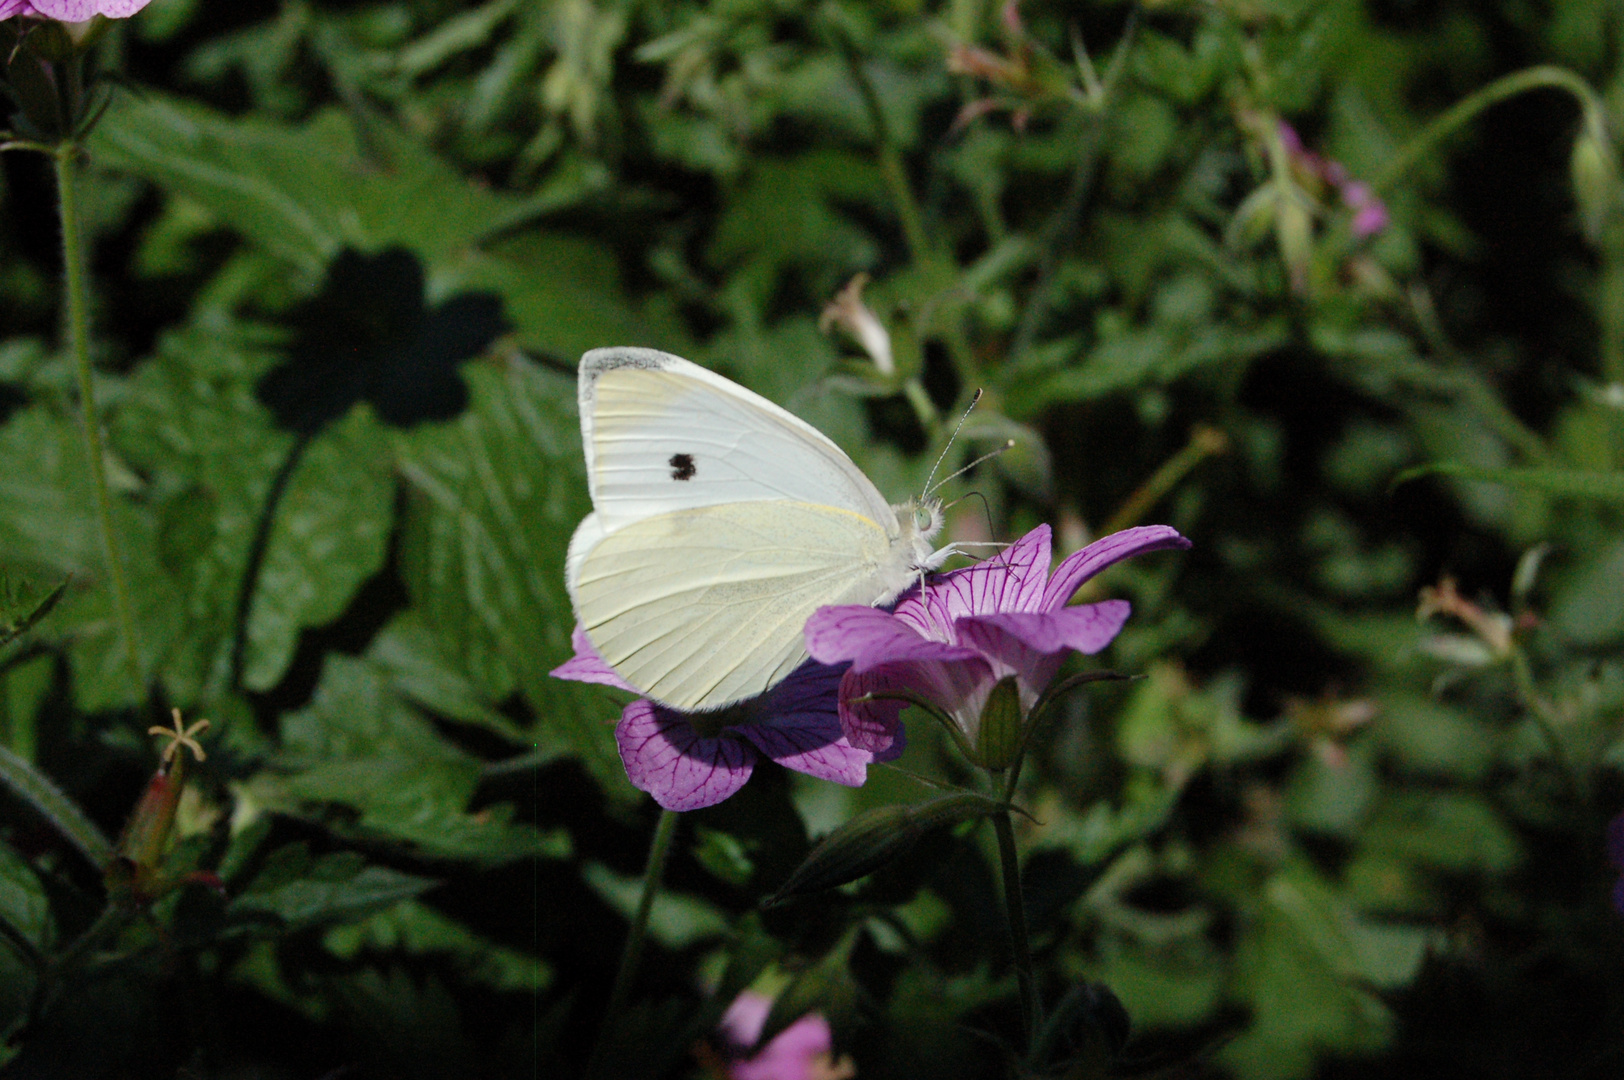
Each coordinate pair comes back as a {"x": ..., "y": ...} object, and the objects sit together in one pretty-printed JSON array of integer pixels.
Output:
[{"x": 79, "y": 342}]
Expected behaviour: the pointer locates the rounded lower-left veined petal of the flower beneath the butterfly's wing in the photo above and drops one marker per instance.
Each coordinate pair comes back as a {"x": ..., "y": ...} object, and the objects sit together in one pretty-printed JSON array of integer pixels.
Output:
[{"x": 670, "y": 761}]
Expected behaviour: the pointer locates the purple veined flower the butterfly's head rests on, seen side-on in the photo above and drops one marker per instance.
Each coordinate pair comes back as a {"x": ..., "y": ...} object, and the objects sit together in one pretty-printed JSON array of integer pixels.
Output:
[{"x": 954, "y": 644}]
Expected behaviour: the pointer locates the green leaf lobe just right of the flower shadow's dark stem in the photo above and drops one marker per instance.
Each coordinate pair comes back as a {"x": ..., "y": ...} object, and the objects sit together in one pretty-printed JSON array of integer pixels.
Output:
[{"x": 329, "y": 537}]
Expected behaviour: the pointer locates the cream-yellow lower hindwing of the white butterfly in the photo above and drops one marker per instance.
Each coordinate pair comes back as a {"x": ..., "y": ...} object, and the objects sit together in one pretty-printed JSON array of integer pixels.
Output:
[{"x": 702, "y": 608}]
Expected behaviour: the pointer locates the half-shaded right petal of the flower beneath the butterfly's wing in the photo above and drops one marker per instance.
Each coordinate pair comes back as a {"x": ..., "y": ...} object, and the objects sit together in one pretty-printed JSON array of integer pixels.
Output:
[{"x": 801, "y": 728}]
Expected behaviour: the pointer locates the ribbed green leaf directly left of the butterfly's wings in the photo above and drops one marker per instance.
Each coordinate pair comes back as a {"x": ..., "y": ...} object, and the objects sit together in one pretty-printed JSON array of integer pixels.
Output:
[{"x": 496, "y": 496}]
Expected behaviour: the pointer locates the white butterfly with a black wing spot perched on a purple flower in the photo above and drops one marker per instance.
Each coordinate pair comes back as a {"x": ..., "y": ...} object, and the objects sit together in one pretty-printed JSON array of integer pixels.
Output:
[{"x": 720, "y": 524}]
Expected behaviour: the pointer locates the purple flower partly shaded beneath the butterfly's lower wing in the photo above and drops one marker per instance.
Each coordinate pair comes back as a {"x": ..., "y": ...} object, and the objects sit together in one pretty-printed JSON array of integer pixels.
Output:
[{"x": 691, "y": 761}]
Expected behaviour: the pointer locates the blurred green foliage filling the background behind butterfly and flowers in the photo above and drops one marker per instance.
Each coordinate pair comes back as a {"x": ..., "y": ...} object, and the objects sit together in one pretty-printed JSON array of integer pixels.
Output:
[{"x": 347, "y": 257}]
